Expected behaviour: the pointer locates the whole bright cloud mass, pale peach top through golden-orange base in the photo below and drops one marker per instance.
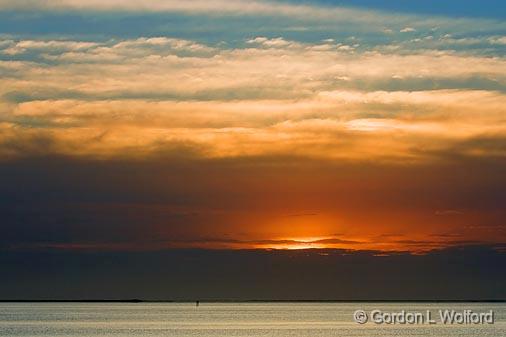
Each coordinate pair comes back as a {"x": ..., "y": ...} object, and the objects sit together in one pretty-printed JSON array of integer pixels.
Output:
[{"x": 135, "y": 96}]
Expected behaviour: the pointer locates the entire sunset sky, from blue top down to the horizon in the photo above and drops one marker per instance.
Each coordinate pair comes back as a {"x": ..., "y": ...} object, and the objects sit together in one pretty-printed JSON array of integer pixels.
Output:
[{"x": 130, "y": 128}]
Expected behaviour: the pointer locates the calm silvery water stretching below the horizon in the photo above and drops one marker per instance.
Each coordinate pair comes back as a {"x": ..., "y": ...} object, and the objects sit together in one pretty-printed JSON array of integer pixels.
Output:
[{"x": 223, "y": 320}]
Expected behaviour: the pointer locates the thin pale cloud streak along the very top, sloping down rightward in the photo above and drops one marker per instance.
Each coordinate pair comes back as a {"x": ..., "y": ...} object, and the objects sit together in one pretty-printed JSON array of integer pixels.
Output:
[{"x": 360, "y": 19}]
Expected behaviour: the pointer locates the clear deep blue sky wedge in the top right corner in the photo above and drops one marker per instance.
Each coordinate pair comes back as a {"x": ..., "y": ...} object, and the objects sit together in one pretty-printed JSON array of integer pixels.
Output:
[{"x": 455, "y": 8}]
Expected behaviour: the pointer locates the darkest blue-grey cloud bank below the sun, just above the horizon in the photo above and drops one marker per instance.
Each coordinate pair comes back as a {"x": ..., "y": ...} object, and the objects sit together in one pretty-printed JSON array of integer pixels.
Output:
[{"x": 458, "y": 273}]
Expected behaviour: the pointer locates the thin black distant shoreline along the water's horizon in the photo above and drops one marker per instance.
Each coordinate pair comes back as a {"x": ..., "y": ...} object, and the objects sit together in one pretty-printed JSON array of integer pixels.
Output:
[{"x": 252, "y": 301}]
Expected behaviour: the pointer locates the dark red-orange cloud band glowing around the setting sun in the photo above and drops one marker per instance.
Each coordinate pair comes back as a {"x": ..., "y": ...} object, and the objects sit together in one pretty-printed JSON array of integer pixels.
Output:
[{"x": 174, "y": 199}]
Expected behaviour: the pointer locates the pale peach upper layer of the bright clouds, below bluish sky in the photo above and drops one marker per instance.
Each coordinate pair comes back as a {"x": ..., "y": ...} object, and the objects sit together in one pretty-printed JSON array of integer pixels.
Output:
[{"x": 157, "y": 64}]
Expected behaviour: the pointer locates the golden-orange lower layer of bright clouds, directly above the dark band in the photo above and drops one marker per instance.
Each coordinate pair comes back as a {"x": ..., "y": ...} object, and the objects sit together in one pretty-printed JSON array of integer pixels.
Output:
[{"x": 228, "y": 129}]
